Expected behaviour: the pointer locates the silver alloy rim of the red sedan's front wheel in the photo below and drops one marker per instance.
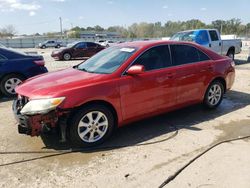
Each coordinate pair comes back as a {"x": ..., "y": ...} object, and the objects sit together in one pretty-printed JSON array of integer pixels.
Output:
[{"x": 93, "y": 126}]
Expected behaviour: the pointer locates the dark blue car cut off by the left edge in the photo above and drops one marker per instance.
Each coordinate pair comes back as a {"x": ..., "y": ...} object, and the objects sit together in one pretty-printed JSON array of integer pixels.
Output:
[{"x": 15, "y": 67}]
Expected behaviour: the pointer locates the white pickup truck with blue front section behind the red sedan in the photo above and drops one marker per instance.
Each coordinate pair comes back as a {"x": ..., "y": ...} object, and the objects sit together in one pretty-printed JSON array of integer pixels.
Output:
[{"x": 210, "y": 38}]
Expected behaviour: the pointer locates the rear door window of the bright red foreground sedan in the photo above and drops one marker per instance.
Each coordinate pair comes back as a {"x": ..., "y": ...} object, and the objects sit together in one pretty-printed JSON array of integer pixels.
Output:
[{"x": 184, "y": 54}]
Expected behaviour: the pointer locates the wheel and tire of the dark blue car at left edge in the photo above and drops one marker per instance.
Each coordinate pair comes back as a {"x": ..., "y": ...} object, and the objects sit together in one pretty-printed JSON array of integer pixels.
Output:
[{"x": 9, "y": 83}]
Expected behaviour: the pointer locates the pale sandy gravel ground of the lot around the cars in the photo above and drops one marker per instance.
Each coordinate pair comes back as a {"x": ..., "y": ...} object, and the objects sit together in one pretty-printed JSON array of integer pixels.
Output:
[{"x": 132, "y": 164}]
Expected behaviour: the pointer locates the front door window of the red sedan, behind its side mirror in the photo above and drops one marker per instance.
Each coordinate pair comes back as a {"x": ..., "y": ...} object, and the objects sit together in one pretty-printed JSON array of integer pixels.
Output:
[{"x": 155, "y": 58}]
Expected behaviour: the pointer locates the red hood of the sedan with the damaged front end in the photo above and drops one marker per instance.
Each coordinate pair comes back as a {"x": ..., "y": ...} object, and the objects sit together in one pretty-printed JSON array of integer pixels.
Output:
[{"x": 56, "y": 83}]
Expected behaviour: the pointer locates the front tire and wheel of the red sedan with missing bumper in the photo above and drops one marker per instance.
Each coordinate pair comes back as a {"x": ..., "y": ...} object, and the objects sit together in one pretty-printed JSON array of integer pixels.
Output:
[{"x": 91, "y": 126}]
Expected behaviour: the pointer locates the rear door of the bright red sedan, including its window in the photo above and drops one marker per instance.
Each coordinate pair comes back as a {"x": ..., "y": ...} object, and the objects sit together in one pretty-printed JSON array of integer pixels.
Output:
[{"x": 187, "y": 81}]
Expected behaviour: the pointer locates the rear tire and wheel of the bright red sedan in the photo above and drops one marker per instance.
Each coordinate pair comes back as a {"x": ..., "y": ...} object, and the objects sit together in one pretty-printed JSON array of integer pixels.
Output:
[{"x": 214, "y": 95}]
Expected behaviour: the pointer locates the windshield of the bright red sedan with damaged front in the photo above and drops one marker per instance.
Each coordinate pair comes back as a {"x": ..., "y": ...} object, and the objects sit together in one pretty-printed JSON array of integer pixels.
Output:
[{"x": 107, "y": 61}]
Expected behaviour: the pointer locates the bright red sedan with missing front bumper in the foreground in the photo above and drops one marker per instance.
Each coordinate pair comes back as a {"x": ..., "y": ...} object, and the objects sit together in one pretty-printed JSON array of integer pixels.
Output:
[{"x": 119, "y": 85}]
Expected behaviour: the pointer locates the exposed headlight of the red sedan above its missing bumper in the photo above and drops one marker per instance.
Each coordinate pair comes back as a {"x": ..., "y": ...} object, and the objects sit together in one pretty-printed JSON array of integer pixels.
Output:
[{"x": 41, "y": 106}]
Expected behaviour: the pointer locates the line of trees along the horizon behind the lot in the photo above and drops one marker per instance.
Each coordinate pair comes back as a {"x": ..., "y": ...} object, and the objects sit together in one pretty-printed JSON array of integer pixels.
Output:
[{"x": 156, "y": 30}]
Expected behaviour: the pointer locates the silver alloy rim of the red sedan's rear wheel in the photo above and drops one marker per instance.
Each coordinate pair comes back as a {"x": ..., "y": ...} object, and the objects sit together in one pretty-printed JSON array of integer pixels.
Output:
[{"x": 214, "y": 94}]
